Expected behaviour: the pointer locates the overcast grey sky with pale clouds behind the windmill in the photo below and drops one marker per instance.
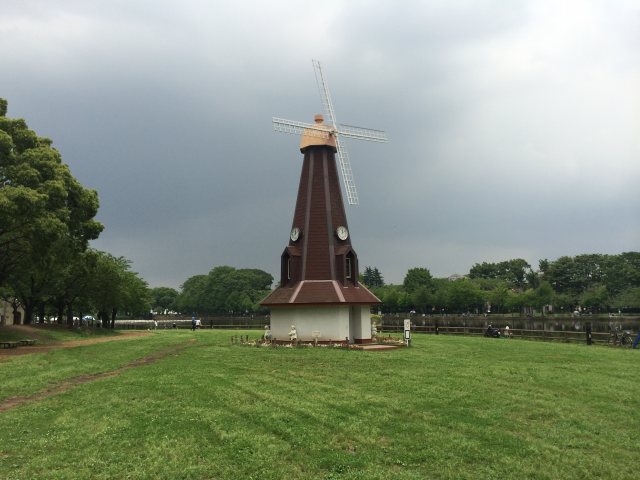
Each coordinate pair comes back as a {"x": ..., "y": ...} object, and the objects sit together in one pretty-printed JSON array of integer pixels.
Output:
[{"x": 514, "y": 125}]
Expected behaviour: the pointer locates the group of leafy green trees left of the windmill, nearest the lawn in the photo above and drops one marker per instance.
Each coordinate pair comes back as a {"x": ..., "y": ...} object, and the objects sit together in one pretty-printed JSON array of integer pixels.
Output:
[{"x": 47, "y": 218}]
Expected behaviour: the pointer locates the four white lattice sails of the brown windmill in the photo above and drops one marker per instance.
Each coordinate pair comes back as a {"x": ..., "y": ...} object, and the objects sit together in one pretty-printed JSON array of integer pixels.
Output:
[{"x": 332, "y": 130}]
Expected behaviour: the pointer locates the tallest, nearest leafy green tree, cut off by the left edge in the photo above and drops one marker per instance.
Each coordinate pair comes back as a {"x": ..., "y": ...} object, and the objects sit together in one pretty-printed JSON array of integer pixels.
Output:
[{"x": 46, "y": 215}]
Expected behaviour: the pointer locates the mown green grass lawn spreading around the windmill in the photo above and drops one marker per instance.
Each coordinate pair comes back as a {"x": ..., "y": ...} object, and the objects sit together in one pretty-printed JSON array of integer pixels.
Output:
[{"x": 449, "y": 407}]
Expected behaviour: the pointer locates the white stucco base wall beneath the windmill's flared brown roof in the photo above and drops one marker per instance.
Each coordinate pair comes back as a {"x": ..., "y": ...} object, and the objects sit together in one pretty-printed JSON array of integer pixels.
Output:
[{"x": 332, "y": 322}]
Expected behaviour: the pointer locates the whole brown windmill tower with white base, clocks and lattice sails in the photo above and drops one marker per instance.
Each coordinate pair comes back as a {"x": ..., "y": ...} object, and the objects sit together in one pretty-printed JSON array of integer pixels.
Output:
[{"x": 319, "y": 290}]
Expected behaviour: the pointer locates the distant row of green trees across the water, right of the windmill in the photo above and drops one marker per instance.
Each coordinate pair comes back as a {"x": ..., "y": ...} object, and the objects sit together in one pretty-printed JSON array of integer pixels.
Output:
[{"x": 593, "y": 282}]
